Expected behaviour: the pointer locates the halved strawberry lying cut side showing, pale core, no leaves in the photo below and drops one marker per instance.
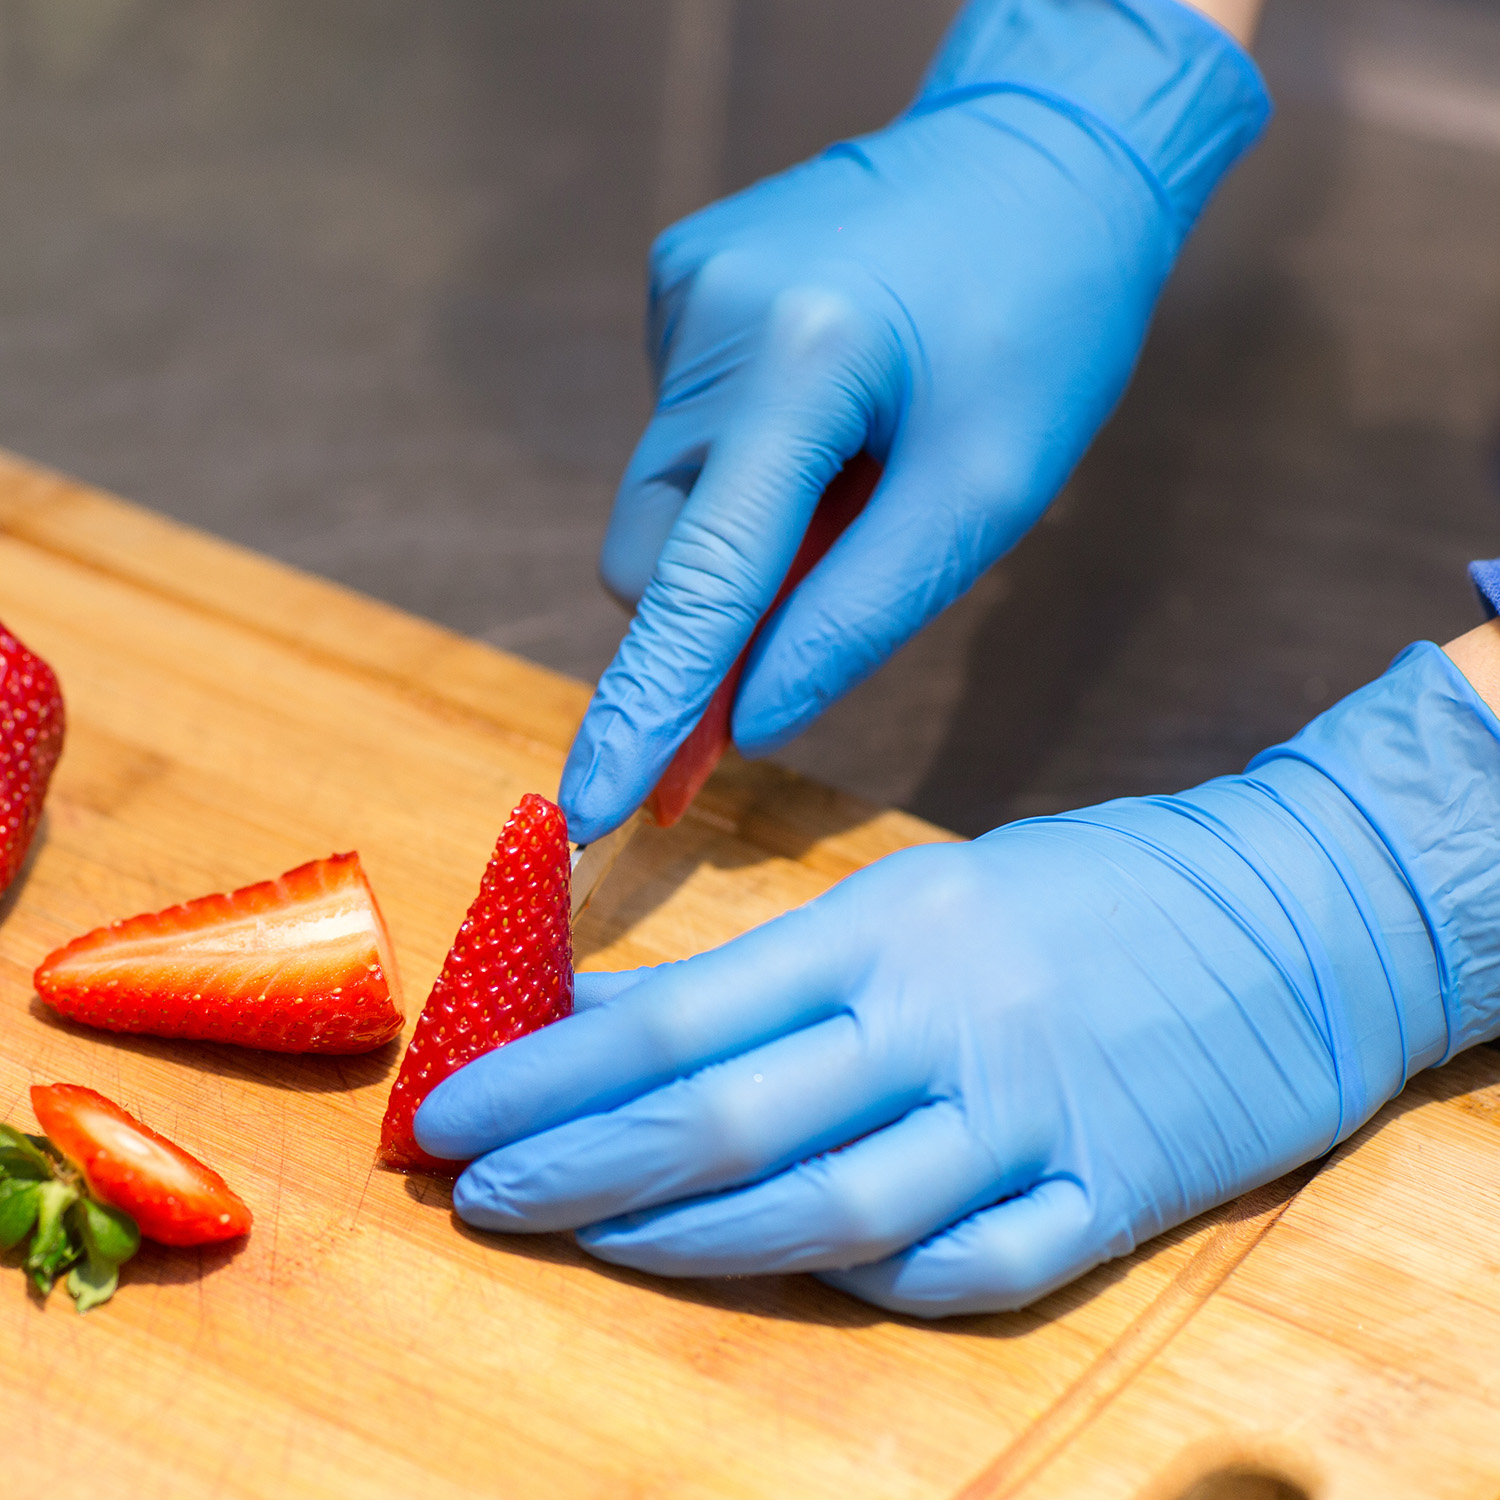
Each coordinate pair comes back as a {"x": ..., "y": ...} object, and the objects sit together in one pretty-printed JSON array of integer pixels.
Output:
[{"x": 302, "y": 964}]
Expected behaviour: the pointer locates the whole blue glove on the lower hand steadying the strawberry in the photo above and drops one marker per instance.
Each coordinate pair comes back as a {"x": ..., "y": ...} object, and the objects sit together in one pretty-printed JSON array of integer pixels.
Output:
[{"x": 1036, "y": 1051}]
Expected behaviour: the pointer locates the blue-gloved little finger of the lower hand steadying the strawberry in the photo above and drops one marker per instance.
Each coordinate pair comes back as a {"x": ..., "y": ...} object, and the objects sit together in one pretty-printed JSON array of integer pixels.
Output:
[{"x": 998, "y": 1261}]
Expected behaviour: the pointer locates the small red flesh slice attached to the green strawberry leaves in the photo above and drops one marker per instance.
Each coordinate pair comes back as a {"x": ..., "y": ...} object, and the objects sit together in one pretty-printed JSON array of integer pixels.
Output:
[{"x": 173, "y": 1198}]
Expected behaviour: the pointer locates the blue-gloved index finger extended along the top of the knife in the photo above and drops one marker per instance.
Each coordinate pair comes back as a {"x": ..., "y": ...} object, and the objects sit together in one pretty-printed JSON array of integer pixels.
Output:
[{"x": 806, "y": 410}]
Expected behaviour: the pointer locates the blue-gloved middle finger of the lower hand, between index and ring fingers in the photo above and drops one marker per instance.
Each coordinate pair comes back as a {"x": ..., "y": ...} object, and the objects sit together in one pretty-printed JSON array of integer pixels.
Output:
[{"x": 734, "y": 1123}]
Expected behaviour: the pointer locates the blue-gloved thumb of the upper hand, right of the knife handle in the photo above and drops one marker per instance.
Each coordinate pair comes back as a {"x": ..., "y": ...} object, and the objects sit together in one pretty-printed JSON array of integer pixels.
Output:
[{"x": 938, "y": 518}]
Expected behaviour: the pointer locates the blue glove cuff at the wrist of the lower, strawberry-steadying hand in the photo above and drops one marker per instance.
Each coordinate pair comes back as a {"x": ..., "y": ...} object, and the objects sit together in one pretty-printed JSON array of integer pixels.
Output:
[{"x": 1418, "y": 755}]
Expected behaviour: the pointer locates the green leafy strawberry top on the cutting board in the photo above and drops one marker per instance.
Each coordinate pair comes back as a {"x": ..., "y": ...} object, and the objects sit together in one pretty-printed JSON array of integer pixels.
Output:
[{"x": 44, "y": 1195}]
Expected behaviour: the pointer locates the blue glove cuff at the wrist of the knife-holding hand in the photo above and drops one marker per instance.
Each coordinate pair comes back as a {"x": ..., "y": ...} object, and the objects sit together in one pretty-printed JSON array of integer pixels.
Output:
[{"x": 1175, "y": 89}]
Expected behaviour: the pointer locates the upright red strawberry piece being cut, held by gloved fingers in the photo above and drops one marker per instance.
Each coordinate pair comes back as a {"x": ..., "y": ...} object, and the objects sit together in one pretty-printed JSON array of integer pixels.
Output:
[{"x": 509, "y": 973}]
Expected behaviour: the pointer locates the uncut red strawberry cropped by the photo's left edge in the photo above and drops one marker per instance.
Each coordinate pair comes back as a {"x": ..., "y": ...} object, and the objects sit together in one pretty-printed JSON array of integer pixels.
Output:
[{"x": 31, "y": 743}]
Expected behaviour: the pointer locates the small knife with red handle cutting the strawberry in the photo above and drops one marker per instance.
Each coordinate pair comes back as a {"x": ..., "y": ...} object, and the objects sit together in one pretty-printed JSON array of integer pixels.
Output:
[{"x": 700, "y": 752}]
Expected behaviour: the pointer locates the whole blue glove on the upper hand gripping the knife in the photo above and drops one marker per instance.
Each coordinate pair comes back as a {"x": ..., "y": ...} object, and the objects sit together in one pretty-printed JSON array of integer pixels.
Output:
[{"x": 962, "y": 295}]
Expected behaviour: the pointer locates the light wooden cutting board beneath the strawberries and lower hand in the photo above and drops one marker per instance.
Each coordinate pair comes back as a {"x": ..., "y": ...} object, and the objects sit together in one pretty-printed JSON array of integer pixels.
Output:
[{"x": 229, "y": 719}]
